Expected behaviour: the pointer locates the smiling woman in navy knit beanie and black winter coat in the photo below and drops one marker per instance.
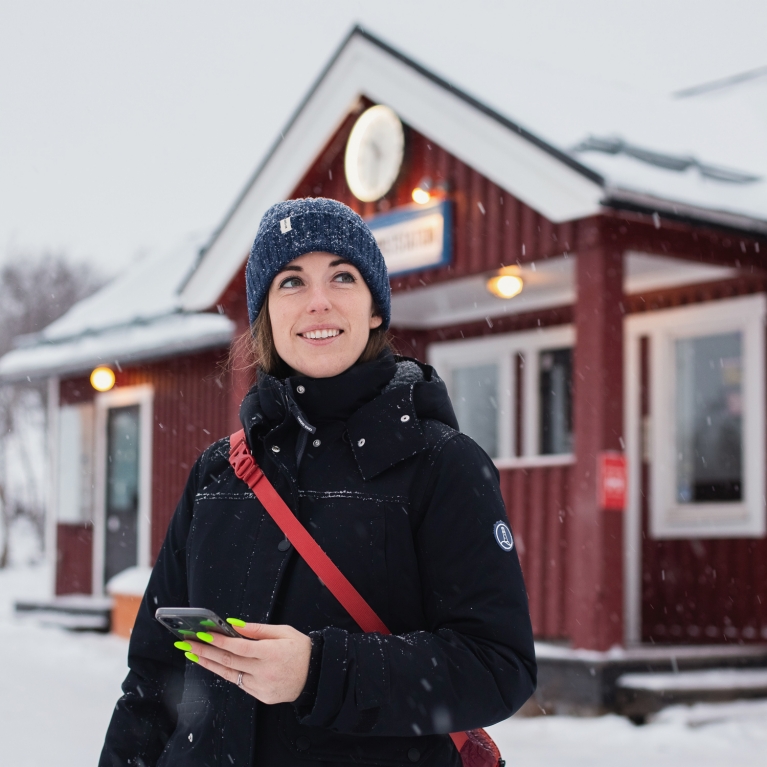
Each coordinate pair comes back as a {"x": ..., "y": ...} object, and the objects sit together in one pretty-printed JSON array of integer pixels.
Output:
[{"x": 363, "y": 446}]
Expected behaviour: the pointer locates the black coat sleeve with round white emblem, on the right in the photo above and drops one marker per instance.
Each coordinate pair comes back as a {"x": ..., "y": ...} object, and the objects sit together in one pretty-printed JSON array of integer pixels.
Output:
[{"x": 475, "y": 663}]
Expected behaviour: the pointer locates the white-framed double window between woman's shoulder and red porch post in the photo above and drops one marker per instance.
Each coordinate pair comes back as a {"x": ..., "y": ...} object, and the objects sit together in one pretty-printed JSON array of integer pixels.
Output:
[{"x": 512, "y": 393}]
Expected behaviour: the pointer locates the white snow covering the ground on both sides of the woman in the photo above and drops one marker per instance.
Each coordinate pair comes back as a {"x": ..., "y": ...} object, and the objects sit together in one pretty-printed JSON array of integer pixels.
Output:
[{"x": 59, "y": 688}]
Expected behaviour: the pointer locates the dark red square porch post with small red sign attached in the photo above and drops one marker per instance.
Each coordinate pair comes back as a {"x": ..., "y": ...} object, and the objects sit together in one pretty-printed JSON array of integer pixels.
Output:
[{"x": 595, "y": 556}]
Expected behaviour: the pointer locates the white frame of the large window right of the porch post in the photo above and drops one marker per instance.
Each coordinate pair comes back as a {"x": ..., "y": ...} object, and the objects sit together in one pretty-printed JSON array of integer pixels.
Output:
[{"x": 669, "y": 519}]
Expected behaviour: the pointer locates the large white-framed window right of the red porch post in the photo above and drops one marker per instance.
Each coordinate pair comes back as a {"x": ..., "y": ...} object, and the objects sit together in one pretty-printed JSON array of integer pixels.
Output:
[{"x": 704, "y": 436}]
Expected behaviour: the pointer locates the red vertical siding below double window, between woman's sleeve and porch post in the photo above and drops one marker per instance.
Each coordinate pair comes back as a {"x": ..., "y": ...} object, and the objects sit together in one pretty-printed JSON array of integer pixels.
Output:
[{"x": 537, "y": 503}]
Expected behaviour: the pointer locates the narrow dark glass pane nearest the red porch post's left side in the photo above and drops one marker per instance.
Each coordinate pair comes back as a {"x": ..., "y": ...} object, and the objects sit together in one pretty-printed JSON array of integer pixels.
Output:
[{"x": 556, "y": 401}]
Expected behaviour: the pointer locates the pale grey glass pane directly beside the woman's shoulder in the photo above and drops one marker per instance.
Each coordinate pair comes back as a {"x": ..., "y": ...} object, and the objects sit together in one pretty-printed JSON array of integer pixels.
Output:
[{"x": 475, "y": 400}]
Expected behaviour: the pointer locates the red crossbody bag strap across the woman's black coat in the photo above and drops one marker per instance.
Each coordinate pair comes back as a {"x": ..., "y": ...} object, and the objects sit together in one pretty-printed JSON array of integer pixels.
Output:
[{"x": 337, "y": 583}]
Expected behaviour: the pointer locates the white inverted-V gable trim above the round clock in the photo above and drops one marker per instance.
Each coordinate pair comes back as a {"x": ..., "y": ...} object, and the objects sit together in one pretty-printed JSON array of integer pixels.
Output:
[{"x": 529, "y": 172}]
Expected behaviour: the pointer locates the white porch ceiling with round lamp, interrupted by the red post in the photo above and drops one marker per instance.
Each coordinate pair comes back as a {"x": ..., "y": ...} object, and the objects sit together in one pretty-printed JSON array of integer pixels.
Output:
[{"x": 548, "y": 284}]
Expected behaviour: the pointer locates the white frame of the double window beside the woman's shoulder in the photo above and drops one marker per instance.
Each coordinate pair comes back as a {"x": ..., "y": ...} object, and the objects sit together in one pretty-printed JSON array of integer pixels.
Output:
[{"x": 502, "y": 349}]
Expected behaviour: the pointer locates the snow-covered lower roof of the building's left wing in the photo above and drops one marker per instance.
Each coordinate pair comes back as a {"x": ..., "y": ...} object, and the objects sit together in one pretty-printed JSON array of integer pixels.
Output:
[{"x": 138, "y": 316}]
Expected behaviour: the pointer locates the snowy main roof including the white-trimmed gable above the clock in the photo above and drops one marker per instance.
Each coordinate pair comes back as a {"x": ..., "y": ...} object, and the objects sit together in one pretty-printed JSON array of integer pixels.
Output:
[{"x": 565, "y": 146}]
